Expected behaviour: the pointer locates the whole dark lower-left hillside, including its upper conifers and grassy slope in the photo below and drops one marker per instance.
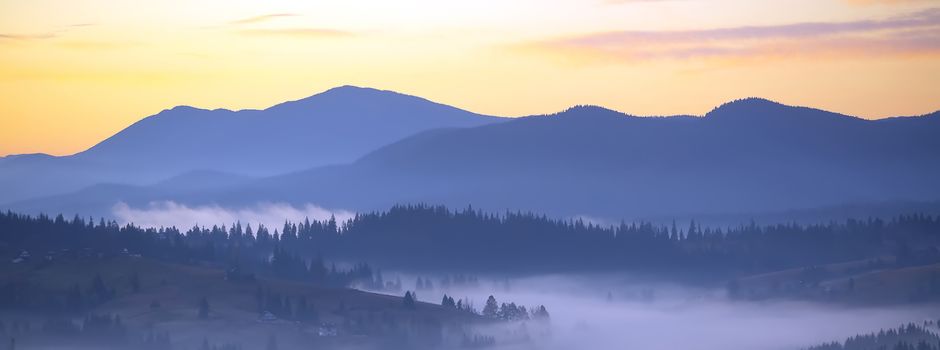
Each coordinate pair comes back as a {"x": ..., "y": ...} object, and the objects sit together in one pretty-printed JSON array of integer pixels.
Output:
[{"x": 103, "y": 286}]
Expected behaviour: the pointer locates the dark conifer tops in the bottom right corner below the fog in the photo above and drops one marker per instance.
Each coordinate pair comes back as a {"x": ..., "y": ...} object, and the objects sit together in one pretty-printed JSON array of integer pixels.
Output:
[{"x": 909, "y": 337}]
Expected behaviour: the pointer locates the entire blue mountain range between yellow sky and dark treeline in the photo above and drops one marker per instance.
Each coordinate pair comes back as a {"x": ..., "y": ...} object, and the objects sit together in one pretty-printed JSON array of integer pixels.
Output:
[{"x": 362, "y": 149}]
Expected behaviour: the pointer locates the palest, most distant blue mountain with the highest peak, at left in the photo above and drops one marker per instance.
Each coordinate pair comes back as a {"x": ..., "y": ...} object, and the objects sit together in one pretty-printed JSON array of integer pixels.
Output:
[{"x": 336, "y": 126}]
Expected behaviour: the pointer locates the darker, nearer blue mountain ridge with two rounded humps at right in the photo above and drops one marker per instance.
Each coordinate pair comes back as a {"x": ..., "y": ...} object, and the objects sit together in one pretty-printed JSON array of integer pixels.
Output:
[{"x": 746, "y": 156}]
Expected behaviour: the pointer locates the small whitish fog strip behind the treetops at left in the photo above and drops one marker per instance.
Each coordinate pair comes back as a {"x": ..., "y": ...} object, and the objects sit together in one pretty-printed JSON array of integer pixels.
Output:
[{"x": 272, "y": 215}]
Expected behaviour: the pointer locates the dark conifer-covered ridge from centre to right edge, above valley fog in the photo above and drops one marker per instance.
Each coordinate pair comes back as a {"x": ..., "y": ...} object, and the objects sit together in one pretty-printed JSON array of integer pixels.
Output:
[{"x": 458, "y": 238}]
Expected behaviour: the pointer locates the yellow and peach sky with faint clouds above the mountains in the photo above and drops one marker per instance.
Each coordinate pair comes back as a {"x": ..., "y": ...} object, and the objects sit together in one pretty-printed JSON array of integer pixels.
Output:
[{"x": 73, "y": 72}]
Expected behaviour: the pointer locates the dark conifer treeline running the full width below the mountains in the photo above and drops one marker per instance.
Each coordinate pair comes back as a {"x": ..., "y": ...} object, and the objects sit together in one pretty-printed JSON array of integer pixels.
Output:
[{"x": 430, "y": 238}]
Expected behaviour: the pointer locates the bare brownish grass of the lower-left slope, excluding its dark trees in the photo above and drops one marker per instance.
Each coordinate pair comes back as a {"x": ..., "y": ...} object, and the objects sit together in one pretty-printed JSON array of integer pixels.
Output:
[{"x": 233, "y": 317}]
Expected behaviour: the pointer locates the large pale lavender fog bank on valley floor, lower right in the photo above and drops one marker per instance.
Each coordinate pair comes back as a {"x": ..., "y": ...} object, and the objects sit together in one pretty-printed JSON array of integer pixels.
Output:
[{"x": 612, "y": 312}]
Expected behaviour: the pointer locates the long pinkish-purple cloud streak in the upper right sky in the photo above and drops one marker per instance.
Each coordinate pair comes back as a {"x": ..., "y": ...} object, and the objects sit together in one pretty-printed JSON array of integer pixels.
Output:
[{"x": 910, "y": 34}]
